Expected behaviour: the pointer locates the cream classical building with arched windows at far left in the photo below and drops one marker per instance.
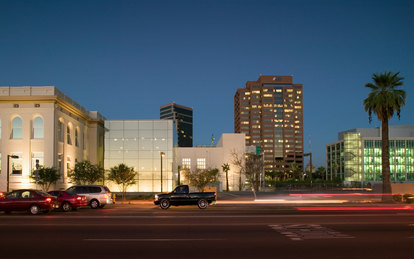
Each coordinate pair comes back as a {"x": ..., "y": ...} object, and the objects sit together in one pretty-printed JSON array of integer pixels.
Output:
[{"x": 42, "y": 126}]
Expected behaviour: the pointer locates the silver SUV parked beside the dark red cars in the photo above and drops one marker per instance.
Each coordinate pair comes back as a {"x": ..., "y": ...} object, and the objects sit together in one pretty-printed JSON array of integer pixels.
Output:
[{"x": 97, "y": 196}]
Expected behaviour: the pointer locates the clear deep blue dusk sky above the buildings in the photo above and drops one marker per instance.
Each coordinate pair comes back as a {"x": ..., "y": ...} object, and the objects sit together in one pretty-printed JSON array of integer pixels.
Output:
[{"x": 127, "y": 58}]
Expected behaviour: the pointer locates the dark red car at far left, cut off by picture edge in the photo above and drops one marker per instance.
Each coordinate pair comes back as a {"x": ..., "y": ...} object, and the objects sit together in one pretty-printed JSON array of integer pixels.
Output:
[{"x": 33, "y": 201}]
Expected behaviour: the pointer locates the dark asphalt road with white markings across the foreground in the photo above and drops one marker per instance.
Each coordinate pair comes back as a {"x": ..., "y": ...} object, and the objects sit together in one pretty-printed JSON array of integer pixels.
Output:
[{"x": 221, "y": 231}]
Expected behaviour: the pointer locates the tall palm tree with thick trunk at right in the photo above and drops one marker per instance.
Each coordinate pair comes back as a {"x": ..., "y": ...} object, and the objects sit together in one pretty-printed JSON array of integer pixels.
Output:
[{"x": 383, "y": 100}]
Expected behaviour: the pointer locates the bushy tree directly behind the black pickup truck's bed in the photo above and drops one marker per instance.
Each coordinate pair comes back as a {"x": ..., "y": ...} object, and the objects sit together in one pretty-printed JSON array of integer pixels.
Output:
[{"x": 200, "y": 178}]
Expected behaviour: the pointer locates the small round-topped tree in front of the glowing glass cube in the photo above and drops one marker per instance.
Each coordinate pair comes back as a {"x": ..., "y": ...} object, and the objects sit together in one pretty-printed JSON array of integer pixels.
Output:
[{"x": 123, "y": 176}]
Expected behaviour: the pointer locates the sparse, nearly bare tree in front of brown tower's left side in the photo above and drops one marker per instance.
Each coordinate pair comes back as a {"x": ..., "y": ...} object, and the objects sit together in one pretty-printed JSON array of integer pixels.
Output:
[{"x": 254, "y": 168}]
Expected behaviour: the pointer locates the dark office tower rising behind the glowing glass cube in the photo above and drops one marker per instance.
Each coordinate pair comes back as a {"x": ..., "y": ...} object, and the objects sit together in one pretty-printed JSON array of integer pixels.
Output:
[{"x": 183, "y": 122}]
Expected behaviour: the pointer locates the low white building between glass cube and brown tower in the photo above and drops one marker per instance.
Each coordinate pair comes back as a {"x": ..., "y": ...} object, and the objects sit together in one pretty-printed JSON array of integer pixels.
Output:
[{"x": 214, "y": 157}]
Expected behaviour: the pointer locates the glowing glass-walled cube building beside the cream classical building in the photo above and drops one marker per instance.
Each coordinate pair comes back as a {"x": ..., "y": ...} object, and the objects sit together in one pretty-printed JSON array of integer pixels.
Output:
[{"x": 139, "y": 144}]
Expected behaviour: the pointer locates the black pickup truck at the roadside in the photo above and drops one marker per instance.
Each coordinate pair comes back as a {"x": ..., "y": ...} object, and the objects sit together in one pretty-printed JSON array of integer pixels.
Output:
[{"x": 181, "y": 196}]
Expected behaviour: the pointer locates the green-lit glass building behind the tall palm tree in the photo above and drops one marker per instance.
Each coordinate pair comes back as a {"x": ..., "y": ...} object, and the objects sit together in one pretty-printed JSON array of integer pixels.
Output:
[{"x": 356, "y": 156}]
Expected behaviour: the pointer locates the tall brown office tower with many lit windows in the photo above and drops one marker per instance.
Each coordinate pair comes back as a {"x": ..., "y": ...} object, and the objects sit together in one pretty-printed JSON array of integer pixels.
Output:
[{"x": 270, "y": 112}]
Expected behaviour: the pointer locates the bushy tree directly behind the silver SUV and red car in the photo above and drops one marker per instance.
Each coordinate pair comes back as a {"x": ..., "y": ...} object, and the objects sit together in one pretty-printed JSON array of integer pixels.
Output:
[{"x": 86, "y": 173}]
